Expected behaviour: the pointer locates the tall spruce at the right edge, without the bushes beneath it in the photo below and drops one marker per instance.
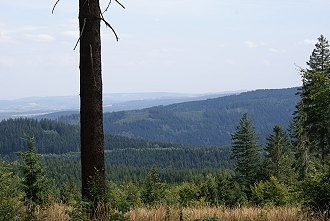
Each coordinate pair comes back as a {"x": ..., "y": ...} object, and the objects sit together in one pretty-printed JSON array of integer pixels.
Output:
[{"x": 313, "y": 116}]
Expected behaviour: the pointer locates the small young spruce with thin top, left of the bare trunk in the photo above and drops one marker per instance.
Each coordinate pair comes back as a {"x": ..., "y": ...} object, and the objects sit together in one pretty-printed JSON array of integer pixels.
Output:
[{"x": 36, "y": 185}]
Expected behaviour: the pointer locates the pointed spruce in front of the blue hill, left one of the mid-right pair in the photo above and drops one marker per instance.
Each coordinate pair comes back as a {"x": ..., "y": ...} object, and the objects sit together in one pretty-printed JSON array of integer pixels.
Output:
[{"x": 246, "y": 154}]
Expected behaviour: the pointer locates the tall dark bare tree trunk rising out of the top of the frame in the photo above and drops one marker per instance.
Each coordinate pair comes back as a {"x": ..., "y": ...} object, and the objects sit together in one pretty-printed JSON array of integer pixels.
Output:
[{"x": 91, "y": 114}]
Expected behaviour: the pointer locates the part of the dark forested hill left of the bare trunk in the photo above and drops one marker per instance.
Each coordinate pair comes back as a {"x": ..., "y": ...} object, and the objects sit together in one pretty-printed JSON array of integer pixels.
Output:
[{"x": 51, "y": 136}]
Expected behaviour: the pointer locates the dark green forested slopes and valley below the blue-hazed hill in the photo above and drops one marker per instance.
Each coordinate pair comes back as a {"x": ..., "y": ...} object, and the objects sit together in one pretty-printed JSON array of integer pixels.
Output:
[{"x": 125, "y": 158}]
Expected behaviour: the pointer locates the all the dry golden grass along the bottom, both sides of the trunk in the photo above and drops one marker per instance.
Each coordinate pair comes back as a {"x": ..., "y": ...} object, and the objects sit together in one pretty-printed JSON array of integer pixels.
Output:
[{"x": 57, "y": 212}]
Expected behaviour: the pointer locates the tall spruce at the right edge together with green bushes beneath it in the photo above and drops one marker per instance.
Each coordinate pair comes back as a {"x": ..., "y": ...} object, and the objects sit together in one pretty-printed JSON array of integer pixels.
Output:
[{"x": 312, "y": 132}]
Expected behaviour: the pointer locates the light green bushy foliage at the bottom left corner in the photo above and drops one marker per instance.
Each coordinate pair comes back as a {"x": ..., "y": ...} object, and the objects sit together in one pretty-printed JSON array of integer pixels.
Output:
[{"x": 11, "y": 196}]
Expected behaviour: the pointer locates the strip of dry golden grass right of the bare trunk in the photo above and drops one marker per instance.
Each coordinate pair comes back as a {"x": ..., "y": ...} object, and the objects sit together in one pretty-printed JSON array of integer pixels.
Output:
[{"x": 216, "y": 213}]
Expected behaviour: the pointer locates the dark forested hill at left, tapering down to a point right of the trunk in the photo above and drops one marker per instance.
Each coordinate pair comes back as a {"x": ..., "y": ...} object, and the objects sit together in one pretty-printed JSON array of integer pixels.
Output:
[{"x": 53, "y": 137}]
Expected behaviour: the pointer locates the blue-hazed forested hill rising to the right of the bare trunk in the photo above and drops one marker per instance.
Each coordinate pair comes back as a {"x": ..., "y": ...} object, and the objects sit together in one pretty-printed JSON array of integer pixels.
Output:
[{"x": 206, "y": 122}]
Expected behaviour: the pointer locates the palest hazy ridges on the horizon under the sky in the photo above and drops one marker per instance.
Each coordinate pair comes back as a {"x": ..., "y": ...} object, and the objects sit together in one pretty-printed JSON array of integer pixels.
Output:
[{"x": 52, "y": 107}]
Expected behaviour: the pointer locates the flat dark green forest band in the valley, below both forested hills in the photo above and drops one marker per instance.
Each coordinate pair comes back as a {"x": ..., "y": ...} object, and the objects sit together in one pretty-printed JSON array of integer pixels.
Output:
[{"x": 175, "y": 164}]
